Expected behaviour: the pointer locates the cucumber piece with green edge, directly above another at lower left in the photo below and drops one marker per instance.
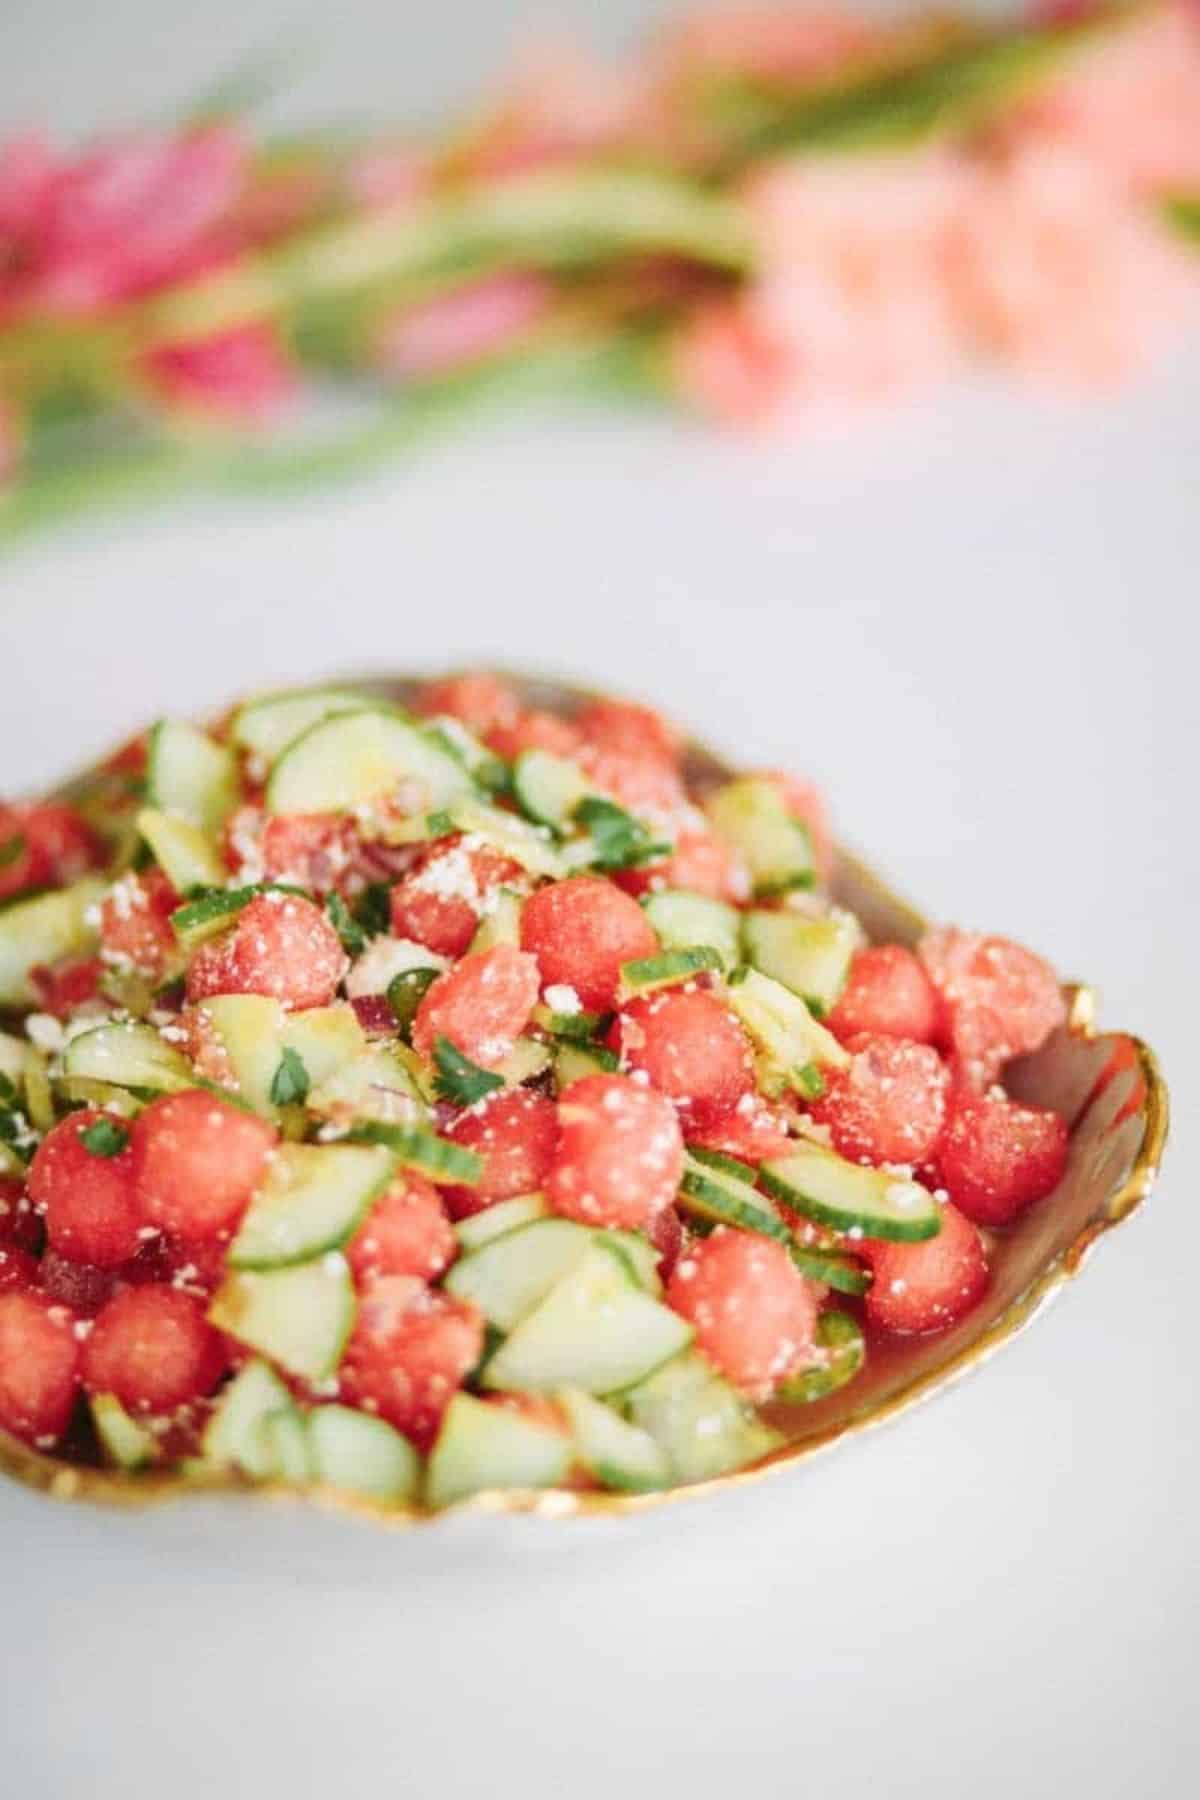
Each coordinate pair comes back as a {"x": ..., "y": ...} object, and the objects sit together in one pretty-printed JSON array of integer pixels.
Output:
[{"x": 312, "y": 1201}]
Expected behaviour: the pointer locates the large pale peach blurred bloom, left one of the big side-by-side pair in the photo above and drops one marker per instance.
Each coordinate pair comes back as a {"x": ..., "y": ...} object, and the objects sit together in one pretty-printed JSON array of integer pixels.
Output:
[{"x": 852, "y": 303}]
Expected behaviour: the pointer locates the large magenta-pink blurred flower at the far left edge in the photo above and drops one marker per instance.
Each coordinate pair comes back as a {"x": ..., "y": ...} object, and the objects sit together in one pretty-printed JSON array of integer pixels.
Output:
[{"x": 118, "y": 222}]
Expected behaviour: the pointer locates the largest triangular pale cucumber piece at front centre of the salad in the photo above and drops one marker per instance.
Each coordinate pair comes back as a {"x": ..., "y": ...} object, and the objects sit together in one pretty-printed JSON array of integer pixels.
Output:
[{"x": 595, "y": 1331}]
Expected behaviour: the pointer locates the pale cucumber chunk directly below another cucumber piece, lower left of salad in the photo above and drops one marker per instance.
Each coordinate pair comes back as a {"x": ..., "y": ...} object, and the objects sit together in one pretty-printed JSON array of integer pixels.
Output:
[{"x": 300, "y": 1318}]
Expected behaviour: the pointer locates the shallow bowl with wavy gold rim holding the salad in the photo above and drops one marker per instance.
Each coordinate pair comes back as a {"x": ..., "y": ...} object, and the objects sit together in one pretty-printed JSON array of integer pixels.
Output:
[{"x": 1107, "y": 1084}]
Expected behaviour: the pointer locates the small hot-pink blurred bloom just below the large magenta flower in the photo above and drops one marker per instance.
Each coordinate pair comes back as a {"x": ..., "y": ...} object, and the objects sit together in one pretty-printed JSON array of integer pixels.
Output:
[{"x": 240, "y": 375}]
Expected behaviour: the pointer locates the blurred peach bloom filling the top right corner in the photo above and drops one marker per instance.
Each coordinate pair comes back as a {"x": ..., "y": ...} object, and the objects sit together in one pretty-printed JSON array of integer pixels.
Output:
[{"x": 1131, "y": 102}]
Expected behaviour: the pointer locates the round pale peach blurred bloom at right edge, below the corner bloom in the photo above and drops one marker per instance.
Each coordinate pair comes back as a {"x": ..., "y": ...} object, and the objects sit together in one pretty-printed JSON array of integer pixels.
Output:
[{"x": 1064, "y": 273}]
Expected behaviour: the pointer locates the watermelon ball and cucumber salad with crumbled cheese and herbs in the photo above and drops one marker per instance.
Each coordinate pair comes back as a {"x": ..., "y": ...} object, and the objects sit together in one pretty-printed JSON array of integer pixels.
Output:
[{"x": 463, "y": 1097}]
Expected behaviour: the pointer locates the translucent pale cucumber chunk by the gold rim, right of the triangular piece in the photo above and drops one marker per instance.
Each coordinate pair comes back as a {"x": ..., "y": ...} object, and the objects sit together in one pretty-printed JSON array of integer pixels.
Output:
[{"x": 699, "y": 1421}]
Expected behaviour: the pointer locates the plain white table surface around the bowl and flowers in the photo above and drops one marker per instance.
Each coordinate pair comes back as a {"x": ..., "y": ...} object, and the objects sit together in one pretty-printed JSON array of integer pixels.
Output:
[{"x": 976, "y": 624}]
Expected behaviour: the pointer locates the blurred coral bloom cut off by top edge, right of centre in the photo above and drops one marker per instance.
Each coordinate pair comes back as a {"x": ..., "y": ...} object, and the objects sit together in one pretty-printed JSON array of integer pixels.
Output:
[{"x": 785, "y": 42}]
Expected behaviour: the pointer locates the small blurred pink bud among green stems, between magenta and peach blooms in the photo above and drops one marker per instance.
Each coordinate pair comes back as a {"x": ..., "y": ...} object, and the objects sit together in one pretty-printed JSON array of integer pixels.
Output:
[{"x": 465, "y": 327}]
